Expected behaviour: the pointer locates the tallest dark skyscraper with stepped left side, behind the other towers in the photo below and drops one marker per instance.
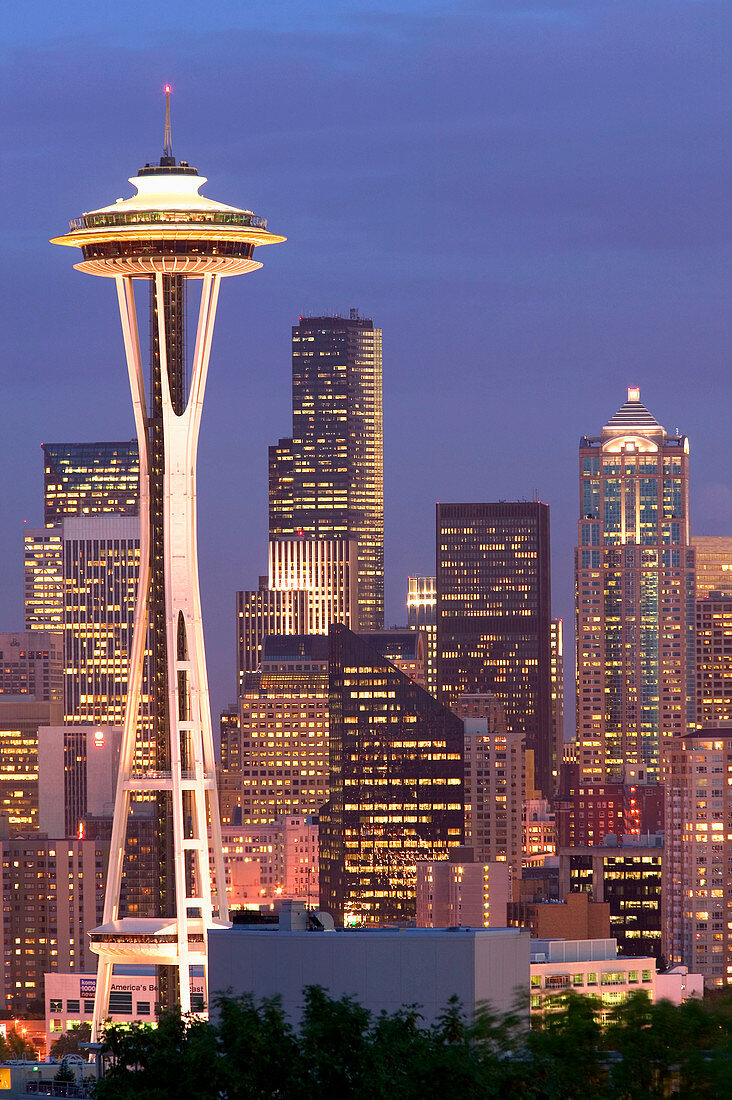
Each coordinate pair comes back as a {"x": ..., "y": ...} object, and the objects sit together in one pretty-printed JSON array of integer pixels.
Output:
[{"x": 327, "y": 481}]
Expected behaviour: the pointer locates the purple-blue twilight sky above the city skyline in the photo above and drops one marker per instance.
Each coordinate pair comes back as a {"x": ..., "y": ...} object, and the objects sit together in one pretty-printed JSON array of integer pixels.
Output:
[{"x": 531, "y": 199}]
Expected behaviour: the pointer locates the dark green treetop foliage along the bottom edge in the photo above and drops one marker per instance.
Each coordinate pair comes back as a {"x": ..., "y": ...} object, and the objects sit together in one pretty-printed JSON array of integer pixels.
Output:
[{"x": 252, "y": 1052}]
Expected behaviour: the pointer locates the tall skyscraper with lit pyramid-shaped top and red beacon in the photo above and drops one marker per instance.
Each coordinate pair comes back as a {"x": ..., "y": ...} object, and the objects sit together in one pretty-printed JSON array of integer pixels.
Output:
[{"x": 635, "y": 571}]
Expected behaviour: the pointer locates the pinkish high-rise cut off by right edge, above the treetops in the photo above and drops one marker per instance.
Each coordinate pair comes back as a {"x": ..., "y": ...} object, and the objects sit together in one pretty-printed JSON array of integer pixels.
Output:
[{"x": 697, "y": 903}]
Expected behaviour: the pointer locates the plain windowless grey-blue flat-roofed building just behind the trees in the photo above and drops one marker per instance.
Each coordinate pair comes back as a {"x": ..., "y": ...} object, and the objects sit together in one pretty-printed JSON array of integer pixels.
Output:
[{"x": 384, "y": 970}]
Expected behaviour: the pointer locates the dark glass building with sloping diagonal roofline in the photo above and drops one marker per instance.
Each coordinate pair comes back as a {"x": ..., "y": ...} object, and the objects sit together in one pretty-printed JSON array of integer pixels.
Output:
[{"x": 397, "y": 788}]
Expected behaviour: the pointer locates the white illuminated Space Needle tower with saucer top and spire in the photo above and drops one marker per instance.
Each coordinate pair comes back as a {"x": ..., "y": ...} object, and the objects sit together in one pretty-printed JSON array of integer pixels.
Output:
[{"x": 168, "y": 236}]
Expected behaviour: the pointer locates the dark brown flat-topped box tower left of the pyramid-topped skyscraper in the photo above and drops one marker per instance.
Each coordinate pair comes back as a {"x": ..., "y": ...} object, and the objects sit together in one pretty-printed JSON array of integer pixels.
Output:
[{"x": 495, "y": 617}]
